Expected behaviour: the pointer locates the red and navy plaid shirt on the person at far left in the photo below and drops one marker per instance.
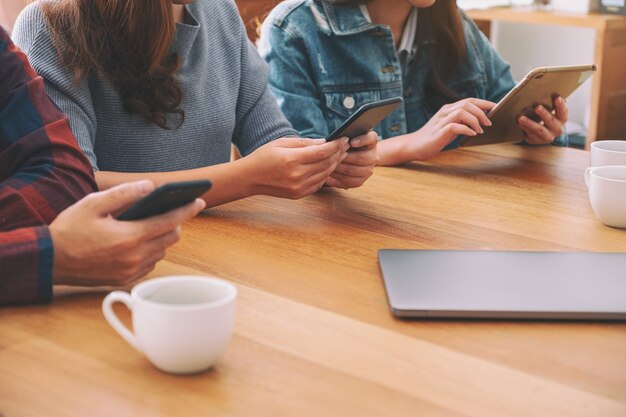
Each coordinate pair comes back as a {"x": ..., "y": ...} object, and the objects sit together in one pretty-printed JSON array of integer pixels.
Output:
[{"x": 42, "y": 172}]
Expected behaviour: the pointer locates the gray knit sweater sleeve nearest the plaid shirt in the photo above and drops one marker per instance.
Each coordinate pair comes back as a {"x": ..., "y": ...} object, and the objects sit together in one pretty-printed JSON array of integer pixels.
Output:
[{"x": 31, "y": 34}]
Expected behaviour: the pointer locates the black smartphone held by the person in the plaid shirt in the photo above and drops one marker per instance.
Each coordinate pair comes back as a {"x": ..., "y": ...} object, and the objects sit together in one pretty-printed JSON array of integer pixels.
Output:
[{"x": 165, "y": 198}]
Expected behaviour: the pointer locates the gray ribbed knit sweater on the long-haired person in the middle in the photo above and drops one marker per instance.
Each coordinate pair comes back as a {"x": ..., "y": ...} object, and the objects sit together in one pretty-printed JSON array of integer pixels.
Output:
[{"x": 225, "y": 97}]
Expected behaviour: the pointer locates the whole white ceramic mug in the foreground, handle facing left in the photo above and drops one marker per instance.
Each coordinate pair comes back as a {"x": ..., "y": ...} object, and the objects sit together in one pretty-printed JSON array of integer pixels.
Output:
[{"x": 181, "y": 323}]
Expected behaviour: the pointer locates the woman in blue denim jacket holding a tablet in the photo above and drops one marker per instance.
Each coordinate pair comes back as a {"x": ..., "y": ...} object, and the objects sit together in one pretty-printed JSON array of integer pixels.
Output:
[{"x": 328, "y": 57}]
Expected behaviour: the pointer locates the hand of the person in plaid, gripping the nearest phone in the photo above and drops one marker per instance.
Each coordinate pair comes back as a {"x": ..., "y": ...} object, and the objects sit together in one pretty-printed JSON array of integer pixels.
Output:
[{"x": 84, "y": 255}]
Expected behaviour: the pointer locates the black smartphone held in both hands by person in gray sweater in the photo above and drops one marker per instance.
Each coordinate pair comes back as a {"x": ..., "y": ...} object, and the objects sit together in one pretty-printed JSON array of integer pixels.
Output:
[{"x": 365, "y": 118}]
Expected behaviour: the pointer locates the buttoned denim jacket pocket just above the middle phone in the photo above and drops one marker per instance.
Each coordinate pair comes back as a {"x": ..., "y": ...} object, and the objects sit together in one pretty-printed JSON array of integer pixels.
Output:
[{"x": 341, "y": 105}]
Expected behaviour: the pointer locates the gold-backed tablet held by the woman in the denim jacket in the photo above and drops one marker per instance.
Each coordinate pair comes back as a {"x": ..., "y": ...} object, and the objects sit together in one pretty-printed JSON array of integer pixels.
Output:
[{"x": 538, "y": 87}]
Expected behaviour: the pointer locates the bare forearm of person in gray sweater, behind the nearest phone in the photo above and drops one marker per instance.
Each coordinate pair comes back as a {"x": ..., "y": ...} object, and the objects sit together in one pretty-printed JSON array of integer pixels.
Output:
[{"x": 231, "y": 181}]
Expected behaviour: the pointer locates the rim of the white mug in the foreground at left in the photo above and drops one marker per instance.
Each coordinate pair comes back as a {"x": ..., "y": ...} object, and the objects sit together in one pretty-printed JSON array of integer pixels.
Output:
[{"x": 138, "y": 292}]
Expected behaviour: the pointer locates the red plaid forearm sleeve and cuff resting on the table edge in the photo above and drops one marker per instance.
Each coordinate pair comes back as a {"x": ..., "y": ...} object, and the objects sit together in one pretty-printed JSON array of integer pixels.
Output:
[{"x": 26, "y": 259}]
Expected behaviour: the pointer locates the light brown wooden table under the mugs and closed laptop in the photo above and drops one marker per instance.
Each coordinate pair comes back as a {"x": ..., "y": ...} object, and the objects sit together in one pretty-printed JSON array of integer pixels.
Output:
[{"x": 314, "y": 336}]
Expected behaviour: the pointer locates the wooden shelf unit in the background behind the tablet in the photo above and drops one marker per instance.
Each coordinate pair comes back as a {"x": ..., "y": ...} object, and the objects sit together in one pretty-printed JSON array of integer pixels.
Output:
[{"x": 608, "y": 96}]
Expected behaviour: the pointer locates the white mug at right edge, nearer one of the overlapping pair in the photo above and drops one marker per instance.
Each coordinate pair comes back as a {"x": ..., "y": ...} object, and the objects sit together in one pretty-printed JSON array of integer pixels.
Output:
[{"x": 607, "y": 193}]
